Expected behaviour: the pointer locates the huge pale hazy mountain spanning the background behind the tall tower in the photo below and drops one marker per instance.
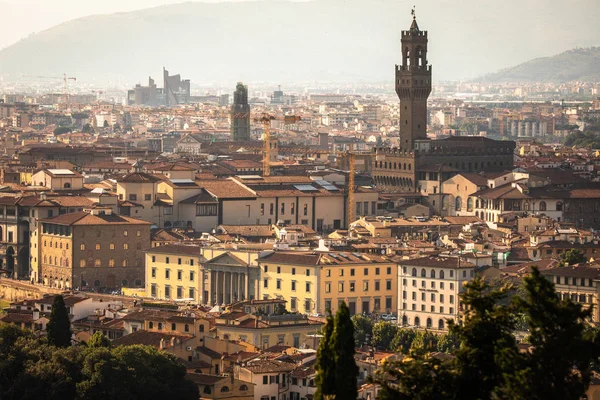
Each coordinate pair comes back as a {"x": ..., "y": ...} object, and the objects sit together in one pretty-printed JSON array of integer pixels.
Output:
[{"x": 299, "y": 41}]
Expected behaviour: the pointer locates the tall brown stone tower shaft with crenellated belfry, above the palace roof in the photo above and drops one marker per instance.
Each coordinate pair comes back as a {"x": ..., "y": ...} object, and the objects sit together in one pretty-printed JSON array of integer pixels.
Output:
[{"x": 413, "y": 86}]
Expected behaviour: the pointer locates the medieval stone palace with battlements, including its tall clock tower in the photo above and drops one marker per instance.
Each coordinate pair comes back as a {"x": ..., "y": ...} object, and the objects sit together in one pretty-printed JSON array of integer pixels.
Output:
[{"x": 419, "y": 160}]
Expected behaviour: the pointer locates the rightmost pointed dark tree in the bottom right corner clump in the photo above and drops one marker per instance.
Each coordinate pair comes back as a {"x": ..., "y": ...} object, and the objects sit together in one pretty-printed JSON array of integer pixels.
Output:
[{"x": 563, "y": 349}]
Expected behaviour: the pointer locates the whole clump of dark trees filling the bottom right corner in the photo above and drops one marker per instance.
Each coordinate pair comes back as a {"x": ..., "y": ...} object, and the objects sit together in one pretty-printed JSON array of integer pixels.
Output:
[{"x": 488, "y": 363}]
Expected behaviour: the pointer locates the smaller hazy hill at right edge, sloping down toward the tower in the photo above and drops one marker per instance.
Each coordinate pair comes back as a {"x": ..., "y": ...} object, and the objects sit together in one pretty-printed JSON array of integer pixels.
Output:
[{"x": 581, "y": 64}]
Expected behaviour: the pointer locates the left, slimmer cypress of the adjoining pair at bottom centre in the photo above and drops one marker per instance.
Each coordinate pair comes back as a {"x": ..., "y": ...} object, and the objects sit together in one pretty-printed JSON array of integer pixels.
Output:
[{"x": 325, "y": 365}]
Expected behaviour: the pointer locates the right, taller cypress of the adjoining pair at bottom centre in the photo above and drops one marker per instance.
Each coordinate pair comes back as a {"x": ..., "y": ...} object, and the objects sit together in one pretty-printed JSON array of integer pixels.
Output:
[{"x": 342, "y": 343}]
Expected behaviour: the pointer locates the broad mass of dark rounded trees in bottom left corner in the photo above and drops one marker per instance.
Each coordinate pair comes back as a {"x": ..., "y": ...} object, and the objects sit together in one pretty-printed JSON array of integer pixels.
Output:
[{"x": 32, "y": 369}]
